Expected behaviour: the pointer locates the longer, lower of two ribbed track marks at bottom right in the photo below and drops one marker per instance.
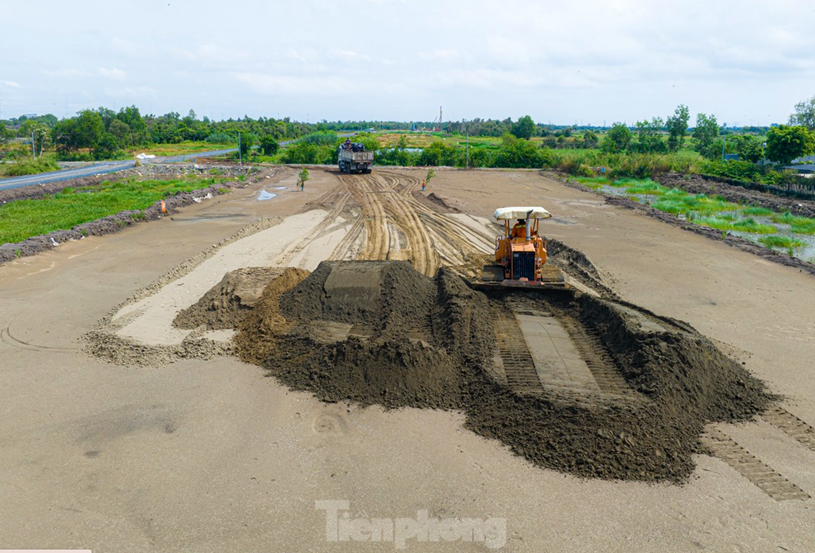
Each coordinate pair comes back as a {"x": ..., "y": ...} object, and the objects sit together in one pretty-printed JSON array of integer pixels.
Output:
[{"x": 753, "y": 469}]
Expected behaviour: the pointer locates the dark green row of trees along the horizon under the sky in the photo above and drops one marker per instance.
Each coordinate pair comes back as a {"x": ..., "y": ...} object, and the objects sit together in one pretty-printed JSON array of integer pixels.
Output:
[{"x": 104, "y": 133}]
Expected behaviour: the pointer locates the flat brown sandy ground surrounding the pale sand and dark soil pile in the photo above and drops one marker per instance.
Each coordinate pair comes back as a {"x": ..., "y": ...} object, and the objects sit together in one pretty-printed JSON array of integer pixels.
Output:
[{"x": 212, "y": 456}]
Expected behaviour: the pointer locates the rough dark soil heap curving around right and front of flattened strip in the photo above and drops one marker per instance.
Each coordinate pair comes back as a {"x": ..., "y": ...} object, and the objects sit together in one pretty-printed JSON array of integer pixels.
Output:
[{"x": 686, "y": 383}]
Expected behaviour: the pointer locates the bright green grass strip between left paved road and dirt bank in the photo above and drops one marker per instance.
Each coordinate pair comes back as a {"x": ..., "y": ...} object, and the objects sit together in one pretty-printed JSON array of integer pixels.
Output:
[{"x": 73, "y": 206}]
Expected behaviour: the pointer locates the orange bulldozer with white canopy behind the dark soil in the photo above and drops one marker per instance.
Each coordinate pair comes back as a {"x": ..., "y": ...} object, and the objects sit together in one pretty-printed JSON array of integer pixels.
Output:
[{"x": 520, "y": 253}]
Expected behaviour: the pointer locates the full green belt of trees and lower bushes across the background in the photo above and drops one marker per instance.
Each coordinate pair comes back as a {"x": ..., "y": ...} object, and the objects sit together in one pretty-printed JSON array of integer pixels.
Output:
[{"x": 641, "y": 149}]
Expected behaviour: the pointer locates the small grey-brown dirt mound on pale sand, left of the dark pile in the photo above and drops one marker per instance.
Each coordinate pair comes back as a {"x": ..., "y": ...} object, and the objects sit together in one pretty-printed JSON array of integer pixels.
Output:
[{"x": 226, "y": 304}]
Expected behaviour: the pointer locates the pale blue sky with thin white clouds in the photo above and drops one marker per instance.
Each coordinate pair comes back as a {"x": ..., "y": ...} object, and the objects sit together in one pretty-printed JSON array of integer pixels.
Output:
[{"x": 561, "y": 62}]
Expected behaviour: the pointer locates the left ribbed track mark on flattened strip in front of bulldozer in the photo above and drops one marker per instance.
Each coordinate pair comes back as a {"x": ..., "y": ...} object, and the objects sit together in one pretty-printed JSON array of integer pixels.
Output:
[{"x": 519, "y": 367}]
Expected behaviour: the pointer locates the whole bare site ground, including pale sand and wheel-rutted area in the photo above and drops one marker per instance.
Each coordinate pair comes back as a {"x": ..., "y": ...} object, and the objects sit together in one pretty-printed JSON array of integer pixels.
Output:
[{"x": 173, "y": 446}]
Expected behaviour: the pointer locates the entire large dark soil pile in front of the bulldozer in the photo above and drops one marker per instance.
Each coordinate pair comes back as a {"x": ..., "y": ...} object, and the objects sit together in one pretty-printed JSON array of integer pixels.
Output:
[{"x": 381, "y": 333}]
